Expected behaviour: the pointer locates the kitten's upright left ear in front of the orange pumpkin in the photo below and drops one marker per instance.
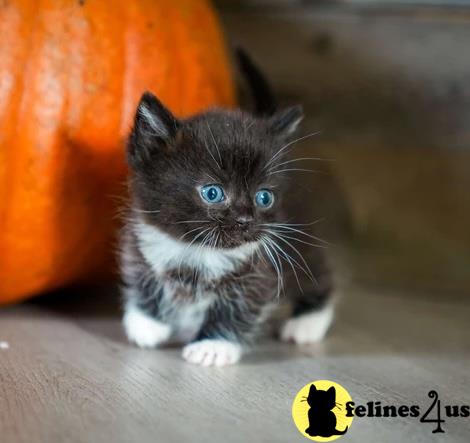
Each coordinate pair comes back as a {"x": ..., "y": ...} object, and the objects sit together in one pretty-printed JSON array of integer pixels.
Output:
[{"x": 155, "y": 128}]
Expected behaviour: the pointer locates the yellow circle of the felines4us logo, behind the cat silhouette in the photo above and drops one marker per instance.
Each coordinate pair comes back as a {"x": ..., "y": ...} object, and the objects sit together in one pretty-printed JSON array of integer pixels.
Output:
[{"x": 319, "y": 411}]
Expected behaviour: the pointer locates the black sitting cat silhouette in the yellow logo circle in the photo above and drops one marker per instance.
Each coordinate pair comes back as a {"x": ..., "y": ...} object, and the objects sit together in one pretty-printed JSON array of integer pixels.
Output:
[{"x": 321, "y": 418}]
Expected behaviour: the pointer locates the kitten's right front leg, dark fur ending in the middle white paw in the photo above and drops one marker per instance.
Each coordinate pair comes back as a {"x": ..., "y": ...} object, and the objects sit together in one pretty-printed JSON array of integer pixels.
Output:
[{"x": 220, "y": 342}]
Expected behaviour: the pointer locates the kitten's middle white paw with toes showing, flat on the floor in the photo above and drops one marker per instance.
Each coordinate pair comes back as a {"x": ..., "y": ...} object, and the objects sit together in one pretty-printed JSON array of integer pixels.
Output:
[{"x": 212, "y": 352}]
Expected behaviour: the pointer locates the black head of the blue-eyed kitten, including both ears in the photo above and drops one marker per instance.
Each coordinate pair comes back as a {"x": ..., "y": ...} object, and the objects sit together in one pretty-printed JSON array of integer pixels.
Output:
[{"x": 211, "y": 178}]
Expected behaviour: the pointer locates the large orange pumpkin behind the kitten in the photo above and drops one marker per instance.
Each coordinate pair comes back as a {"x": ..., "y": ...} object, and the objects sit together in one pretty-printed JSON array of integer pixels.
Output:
[{"x": 71, "y": 74}]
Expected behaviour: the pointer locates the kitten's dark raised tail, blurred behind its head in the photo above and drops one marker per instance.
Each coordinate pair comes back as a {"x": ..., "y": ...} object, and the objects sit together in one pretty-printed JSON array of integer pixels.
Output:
[{"x": 261, "y": 91}]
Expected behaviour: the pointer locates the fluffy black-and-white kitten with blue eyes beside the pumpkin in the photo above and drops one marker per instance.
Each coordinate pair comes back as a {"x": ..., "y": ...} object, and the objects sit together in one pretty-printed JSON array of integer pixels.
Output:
[{"x": 205, "y": 251}]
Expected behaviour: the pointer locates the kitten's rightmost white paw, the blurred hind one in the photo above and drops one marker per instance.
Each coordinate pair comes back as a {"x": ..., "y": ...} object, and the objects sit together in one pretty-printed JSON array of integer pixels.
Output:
[{"x": 308, "y": 328}]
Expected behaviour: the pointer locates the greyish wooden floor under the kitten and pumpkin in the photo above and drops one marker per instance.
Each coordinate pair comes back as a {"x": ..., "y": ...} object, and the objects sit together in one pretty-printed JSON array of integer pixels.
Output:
[{"x": 68, "y": 375}]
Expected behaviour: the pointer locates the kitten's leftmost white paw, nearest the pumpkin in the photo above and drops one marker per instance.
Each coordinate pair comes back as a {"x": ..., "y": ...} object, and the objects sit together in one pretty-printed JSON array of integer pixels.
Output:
[{"x": 143, "y": 330}]
